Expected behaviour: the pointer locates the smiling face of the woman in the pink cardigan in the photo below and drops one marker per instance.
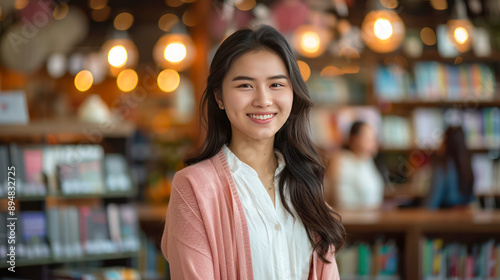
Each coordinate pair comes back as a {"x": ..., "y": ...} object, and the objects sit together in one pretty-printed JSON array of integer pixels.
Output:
[{"x": 256, "y": 95}]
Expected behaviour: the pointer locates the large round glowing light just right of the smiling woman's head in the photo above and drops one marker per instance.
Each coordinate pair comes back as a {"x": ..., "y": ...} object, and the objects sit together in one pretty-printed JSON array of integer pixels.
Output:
[{"x": 311, "y": 41}]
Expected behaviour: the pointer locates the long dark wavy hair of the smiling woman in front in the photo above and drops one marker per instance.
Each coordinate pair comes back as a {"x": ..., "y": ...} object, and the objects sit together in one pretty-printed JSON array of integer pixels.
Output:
[{"x": 305, "y": 168}]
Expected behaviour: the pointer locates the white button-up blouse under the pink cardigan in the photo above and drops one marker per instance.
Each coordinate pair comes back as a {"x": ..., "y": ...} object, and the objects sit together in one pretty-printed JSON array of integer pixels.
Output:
[{"x": 280, "y": 247}]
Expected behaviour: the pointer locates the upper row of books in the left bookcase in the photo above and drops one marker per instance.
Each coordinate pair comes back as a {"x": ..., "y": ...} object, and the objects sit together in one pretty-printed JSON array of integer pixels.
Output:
[{"x": 62, "y": 169}]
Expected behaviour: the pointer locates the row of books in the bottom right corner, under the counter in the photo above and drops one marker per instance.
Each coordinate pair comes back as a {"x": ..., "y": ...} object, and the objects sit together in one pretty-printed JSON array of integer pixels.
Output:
[{"x": 460, "y": 261}]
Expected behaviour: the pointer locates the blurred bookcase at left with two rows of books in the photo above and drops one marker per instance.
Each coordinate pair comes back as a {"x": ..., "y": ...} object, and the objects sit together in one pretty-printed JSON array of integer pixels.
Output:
[{"x": 84, "y": 203}]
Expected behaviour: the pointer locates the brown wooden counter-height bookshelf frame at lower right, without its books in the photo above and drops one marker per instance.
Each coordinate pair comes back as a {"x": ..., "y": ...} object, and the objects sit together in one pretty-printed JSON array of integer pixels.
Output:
[{"x": 410, "y": 227}]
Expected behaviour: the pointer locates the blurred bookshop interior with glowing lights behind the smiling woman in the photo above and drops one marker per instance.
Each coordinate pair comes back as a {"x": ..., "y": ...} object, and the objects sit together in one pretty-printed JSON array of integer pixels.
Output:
[{"x": 96, "y": 121}]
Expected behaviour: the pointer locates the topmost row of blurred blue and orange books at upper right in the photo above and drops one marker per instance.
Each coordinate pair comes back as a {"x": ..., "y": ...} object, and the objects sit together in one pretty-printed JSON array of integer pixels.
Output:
[{"x": 435, "y": 81}]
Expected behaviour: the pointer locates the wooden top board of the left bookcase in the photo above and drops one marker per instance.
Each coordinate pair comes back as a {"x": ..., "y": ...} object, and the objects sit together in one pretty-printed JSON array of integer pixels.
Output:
[{"x": 68, "y": 127}]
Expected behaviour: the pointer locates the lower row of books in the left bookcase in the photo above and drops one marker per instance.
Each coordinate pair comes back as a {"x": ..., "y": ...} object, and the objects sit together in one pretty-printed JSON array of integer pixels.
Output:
[{"x": 72, "y": 232}]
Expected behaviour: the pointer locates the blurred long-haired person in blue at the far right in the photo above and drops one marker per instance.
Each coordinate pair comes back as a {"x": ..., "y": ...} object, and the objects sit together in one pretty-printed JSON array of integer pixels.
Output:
[{"x": 452, "y": 179}]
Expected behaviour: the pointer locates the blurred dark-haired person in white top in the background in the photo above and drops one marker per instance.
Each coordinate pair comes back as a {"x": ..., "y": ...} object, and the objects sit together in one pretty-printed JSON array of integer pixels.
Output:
[{"x": 355, "y": 183}]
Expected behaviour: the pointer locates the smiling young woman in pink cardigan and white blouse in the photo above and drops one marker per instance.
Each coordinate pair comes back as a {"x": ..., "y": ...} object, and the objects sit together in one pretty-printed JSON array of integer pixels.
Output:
[{"x": 250, "y": 203}]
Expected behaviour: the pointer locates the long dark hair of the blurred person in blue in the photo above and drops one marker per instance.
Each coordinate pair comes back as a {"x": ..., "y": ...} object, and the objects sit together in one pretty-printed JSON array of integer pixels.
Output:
[{"x": 456, "y": 151}]
